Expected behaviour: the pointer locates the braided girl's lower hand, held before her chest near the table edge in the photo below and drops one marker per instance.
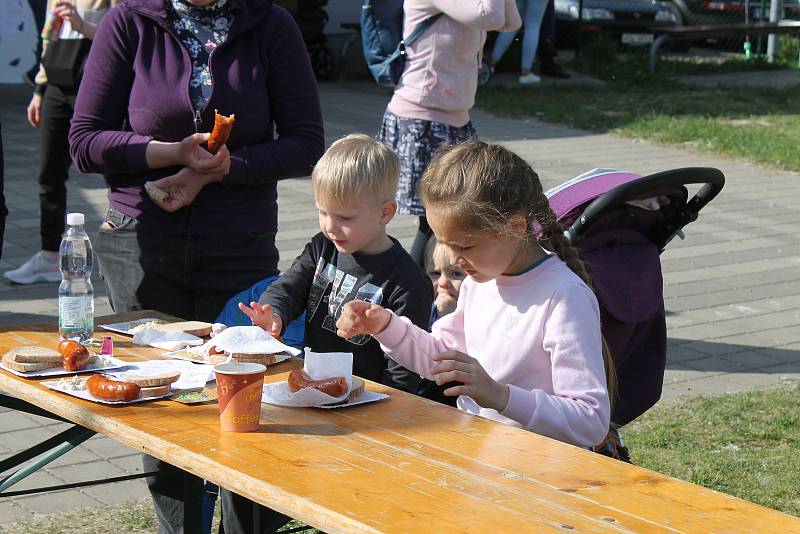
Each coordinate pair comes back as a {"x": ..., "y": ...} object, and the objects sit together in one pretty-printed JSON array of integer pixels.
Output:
[{"x": 475, "y": 382}]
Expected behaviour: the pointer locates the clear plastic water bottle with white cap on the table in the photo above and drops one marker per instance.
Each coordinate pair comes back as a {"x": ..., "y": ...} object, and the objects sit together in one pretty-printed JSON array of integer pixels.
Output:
[{"x": 75, "y": 294}]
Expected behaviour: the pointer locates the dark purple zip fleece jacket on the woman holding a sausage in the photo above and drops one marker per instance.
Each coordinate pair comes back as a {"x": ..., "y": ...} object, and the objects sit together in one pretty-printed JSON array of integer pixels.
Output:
[{"x": 135, "y": 88}]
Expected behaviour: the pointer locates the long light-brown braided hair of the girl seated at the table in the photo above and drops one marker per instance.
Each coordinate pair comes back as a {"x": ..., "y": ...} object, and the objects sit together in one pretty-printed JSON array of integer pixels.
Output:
[{"x": 482, "y": 186}]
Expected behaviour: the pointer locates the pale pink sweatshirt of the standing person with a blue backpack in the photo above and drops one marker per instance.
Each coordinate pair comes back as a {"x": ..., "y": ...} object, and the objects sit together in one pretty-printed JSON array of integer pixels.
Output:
[{"x": 441, "y": 73}]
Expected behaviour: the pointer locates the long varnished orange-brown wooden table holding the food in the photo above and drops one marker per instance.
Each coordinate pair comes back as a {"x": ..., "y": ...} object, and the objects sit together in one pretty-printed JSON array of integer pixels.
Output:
[{"x": 404, "y": 464}]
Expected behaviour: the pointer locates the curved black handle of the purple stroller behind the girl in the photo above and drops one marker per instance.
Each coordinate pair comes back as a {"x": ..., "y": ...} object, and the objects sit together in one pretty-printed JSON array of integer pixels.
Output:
[{"x": 713, "y": 179}]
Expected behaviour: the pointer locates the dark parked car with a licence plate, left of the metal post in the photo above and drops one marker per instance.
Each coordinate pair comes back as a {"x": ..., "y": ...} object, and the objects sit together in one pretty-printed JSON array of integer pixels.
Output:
[{"x": 630, "y": 19}]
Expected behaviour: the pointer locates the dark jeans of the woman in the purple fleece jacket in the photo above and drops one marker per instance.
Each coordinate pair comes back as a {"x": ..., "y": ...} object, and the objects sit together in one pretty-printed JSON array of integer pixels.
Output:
[{"x": 187, "y": 276}]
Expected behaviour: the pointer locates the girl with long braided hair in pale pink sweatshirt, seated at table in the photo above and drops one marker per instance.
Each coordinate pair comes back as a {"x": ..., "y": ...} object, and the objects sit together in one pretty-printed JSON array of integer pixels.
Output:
[{"x": 523, "y": 346}]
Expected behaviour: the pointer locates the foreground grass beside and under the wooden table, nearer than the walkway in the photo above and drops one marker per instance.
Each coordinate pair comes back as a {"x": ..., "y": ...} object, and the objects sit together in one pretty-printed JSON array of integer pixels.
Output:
[{"x": 743, "y": 444}]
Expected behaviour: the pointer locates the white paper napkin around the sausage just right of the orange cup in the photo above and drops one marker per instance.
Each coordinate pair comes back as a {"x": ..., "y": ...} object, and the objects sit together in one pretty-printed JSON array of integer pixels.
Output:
[{"x": 317, "y": 365}]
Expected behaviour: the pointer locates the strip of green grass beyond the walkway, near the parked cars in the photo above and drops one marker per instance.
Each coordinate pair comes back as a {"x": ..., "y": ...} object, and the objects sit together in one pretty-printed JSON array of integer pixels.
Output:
[{"x": 760, "y": 124}]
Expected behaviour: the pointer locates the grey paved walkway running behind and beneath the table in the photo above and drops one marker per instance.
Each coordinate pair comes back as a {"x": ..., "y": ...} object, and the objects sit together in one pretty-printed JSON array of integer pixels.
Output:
[{"x": 732, "y": 288}]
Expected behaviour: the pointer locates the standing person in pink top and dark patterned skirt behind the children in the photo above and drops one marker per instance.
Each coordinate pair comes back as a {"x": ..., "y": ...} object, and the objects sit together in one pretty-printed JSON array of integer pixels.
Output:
[{"x": 431, "y": 103}]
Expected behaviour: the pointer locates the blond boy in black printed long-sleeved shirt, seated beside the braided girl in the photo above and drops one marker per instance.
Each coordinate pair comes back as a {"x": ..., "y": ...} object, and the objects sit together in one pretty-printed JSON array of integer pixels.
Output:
[{"x": 351, "y": 258}]
